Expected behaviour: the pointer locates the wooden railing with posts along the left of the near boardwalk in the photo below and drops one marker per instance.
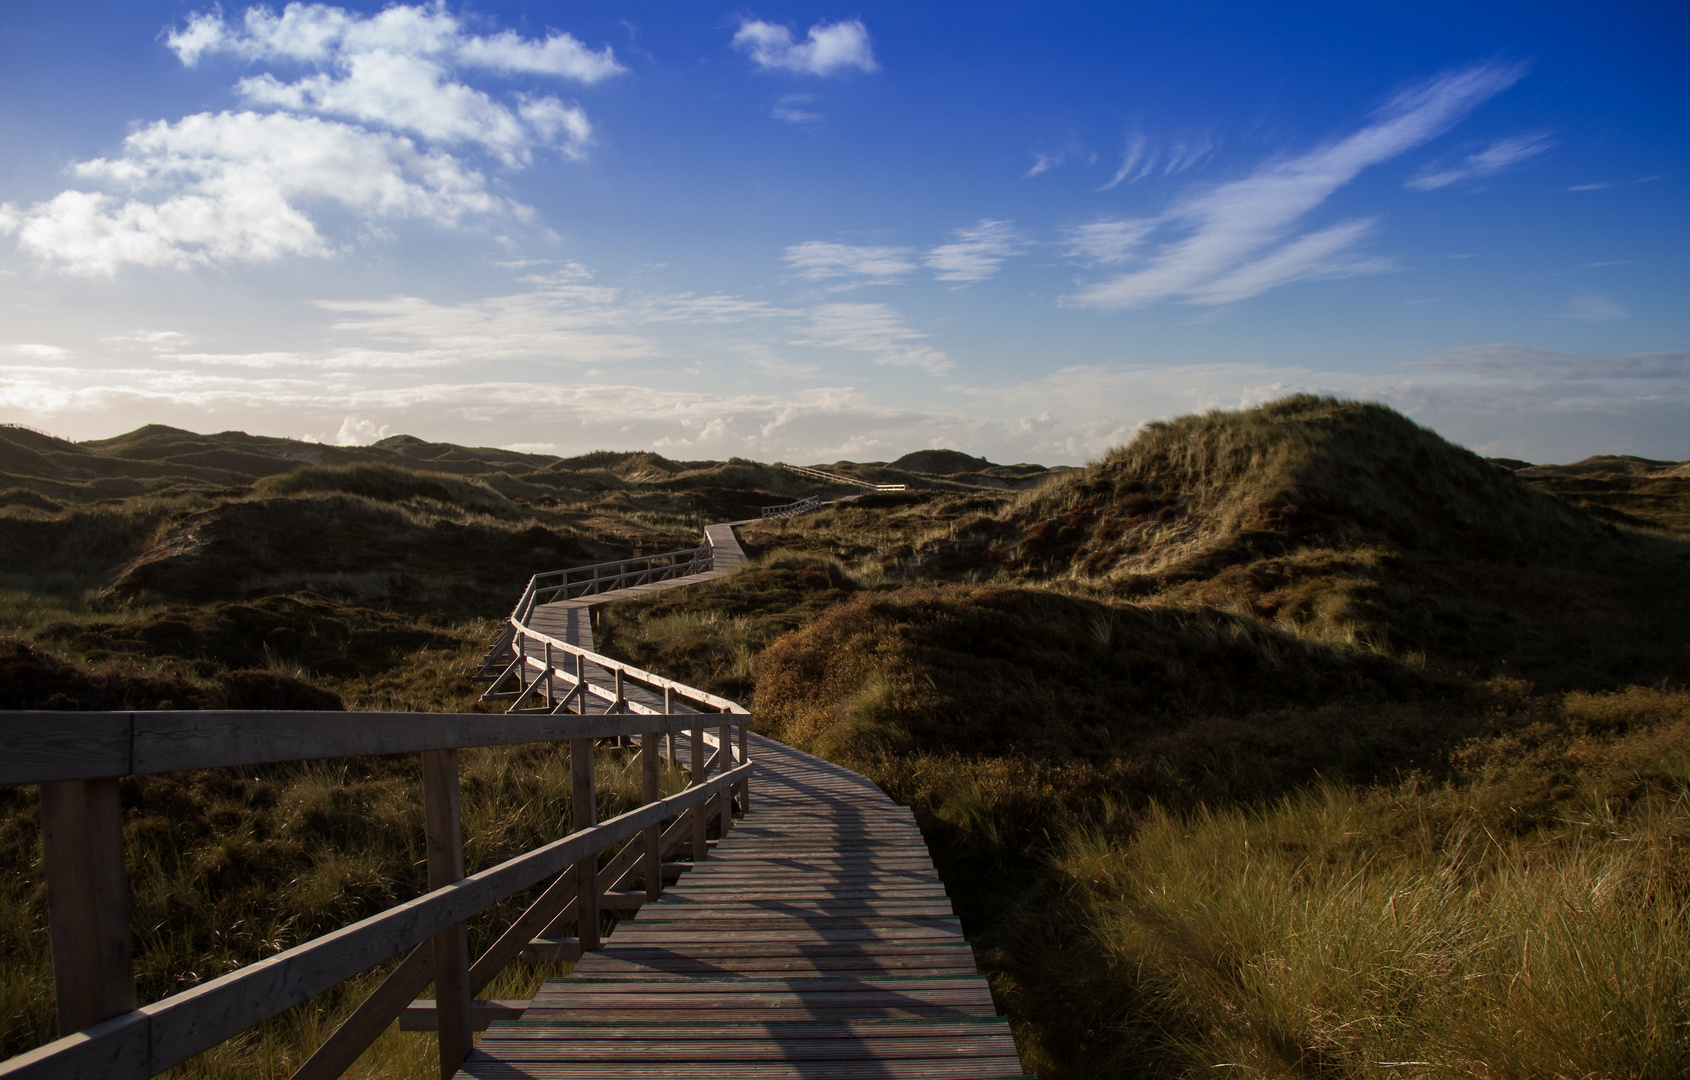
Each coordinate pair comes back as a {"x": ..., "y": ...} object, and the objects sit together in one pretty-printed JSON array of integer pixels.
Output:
[{"x": 79, "y": 758}]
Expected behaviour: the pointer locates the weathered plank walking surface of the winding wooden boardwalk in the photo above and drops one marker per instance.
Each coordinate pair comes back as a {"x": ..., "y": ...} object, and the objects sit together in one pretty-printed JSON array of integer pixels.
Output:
[{"x": 815, "y": 942}]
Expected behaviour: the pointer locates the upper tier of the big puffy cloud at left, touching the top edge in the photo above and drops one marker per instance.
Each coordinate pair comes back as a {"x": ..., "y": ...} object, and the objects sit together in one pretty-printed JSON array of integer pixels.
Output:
[{"x": 396, "y": 70}]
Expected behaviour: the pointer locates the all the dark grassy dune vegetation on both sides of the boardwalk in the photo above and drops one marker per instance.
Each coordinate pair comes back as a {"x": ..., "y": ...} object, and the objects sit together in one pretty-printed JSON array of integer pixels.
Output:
[{"x": 1295, "y": 739}]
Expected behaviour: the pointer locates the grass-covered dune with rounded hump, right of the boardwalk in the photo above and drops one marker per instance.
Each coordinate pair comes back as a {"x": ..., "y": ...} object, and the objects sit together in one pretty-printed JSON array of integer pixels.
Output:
[{"x": 1294, "y": 741}]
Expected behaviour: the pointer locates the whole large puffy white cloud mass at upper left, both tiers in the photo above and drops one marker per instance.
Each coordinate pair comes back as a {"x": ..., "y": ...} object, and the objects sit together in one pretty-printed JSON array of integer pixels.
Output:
[{"x": 215, "y": 188}]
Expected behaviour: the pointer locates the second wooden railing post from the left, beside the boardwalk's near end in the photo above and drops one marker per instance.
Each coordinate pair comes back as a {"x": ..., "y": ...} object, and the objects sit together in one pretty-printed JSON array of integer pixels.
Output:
[{"x": 444, "y": 829}]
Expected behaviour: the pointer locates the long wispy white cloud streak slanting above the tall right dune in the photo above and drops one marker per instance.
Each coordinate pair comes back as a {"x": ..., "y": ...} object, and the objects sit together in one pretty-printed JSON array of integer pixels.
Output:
[{"x": 1240, "y": 236}]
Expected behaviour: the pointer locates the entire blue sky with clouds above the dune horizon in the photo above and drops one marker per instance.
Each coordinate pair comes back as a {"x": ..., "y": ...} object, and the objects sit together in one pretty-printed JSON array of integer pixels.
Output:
[{"x": 820, "y": 232}]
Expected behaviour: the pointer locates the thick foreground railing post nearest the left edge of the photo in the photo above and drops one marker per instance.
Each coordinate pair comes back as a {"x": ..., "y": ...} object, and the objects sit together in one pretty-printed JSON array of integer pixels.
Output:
[{"x": 82, "y": 831}]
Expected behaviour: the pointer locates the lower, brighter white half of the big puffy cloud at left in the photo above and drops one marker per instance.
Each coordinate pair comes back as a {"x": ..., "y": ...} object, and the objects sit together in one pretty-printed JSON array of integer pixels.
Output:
[{"x": 239, "y": 187}]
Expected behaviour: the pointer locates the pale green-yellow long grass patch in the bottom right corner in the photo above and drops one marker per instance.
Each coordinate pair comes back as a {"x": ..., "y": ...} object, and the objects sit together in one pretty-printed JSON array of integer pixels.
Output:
[{"x": 1410, "y": 929}]
